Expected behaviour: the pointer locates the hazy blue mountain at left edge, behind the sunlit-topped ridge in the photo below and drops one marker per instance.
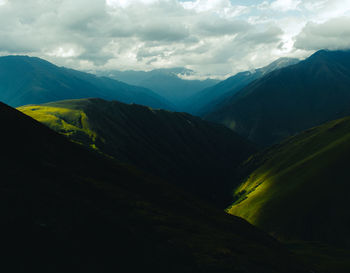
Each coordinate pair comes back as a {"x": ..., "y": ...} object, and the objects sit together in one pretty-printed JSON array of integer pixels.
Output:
[{"x": 29, "y": 80}]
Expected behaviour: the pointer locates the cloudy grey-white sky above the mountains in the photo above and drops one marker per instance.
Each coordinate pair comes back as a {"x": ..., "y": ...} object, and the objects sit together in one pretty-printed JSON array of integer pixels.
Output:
[{"x": 212, "y": 37}]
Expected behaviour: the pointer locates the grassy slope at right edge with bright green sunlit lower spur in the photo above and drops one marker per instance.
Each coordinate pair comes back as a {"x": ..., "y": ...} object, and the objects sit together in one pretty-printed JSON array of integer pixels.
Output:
[{"x": 299, "y": 190}]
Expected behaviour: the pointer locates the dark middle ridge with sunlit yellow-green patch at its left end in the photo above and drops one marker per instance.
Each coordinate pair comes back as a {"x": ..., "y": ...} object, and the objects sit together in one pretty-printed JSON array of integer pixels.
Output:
[{"x": 198, "y": 155}]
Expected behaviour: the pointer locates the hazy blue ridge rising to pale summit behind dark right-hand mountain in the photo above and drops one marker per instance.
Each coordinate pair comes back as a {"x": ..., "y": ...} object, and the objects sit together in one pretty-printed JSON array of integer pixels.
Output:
[{"x": 209, "y": 98}]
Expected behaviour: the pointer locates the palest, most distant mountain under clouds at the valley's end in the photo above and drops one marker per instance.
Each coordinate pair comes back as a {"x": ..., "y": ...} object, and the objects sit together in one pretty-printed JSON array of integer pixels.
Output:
[{"x": 165, "y": 82}]
